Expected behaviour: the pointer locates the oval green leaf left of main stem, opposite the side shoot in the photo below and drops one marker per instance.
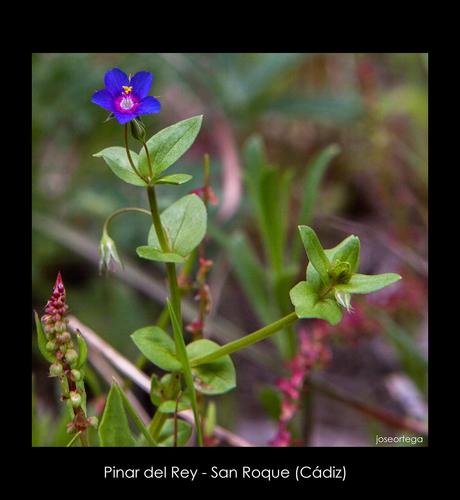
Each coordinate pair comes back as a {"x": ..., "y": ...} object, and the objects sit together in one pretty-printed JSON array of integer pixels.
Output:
[{"x": 158, "y": 347}]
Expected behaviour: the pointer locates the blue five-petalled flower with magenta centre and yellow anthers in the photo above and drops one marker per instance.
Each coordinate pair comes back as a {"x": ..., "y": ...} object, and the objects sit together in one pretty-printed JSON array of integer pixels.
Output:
[{"x": 127, "y": 97}]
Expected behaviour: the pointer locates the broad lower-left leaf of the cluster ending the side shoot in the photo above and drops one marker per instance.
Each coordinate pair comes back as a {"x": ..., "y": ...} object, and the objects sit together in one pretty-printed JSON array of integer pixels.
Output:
[{"x": 308, "y": 304}]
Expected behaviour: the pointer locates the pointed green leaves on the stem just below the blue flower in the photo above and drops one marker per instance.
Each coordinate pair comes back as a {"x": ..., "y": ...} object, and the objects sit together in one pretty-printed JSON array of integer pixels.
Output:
[{"x": 164, "y": 148}]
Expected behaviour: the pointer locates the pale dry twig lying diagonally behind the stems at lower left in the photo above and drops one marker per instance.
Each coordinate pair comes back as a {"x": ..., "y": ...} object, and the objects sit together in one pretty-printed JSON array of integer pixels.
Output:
[{"x": 140, "y": 379}]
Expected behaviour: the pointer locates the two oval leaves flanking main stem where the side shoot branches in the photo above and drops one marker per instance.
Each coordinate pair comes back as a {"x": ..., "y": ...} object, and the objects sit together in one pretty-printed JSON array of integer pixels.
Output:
[{"x": 158, "y": 347}]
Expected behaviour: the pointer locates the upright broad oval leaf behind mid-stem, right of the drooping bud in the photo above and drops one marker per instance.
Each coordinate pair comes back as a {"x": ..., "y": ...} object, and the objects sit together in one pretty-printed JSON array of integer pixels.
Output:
[{"x": 185, "y": 225}]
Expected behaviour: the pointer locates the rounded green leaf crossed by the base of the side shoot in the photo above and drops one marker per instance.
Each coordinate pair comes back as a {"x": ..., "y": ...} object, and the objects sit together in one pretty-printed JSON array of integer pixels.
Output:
[{"x": 212, "y": 378}]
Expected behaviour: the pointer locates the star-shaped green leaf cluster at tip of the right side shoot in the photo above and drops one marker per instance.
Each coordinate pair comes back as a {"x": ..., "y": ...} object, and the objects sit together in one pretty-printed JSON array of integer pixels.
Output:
[{"x": 332, "y": 278}]
